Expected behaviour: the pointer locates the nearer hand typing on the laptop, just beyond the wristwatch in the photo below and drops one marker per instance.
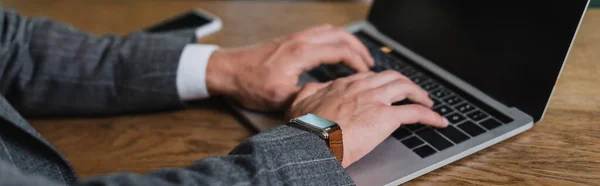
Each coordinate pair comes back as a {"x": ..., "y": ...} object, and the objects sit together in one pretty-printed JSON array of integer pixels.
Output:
[{"x": 361, "y": 105}]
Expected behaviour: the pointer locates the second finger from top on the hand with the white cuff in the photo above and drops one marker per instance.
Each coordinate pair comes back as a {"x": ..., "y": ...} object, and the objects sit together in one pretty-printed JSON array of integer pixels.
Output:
[{"x": 318, "y": 54}]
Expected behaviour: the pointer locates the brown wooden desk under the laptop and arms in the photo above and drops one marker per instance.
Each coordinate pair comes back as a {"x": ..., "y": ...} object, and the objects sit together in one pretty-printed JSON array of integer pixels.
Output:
[{"x": 561, "y": 150}]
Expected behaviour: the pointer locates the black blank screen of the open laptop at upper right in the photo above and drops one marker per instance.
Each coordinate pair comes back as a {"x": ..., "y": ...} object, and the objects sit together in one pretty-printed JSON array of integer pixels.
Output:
[{"x": 512, "y": 50}]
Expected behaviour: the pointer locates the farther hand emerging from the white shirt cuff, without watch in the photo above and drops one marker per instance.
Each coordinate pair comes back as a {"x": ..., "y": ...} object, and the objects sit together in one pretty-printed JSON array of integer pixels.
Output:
[{"x": 264, "y": 76}]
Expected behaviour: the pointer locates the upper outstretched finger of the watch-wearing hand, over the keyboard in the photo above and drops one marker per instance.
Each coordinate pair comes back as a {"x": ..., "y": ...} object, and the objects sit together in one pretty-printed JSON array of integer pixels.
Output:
[{"x": 399, "y": 90}]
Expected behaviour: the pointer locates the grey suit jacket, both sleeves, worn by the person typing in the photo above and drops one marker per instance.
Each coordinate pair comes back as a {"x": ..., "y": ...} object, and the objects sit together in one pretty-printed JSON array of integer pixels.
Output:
[{"x": 47, "y": 68}]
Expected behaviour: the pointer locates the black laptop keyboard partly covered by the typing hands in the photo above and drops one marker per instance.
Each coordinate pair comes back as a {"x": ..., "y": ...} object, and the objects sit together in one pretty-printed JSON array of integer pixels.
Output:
[{"x": 466, "y": 119}]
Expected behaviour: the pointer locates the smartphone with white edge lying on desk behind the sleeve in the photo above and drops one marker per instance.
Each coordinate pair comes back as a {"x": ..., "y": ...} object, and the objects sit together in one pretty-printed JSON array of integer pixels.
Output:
[{"x": 198, "y": 22}]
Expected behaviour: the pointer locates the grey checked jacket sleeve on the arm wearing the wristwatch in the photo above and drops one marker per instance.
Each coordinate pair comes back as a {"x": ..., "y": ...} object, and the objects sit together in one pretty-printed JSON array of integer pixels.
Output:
[{"x": 280, "y": 156}]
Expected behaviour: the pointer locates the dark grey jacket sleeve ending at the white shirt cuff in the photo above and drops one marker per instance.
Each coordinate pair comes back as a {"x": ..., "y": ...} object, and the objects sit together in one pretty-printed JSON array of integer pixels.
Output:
[{"x": 48, "y": 68}]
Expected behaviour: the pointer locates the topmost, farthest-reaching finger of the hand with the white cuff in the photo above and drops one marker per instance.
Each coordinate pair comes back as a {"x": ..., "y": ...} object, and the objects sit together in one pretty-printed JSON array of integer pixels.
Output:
[{"x": 331, "y": 35}]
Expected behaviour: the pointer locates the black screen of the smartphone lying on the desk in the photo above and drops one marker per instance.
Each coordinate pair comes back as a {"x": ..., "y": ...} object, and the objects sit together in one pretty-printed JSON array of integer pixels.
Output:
[{"x": 188, "y": 20}]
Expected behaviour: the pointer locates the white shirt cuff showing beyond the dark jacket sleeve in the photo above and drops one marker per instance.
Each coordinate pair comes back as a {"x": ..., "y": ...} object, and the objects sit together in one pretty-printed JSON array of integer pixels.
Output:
[{"x": 191, "y": 72}]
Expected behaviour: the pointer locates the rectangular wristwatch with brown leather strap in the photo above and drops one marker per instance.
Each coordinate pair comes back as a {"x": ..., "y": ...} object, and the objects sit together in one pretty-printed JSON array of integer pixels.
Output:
[{"x": 327, "y": 130}]
